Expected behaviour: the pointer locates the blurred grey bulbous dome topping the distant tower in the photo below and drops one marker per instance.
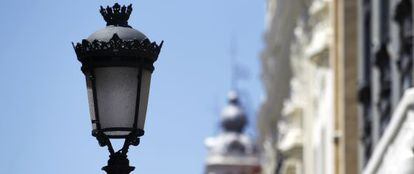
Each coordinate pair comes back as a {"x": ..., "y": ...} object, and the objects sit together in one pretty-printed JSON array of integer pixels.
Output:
[{"x": 233, "y": 117}]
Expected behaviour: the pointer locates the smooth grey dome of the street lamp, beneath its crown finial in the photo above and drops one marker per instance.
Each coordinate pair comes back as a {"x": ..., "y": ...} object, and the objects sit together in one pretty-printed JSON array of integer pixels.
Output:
[{"x": 124, "y": 33}]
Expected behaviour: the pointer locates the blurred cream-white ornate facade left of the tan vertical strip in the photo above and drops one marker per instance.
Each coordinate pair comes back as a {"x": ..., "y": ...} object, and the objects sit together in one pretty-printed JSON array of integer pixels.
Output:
[{"x": 303, "y": 113}]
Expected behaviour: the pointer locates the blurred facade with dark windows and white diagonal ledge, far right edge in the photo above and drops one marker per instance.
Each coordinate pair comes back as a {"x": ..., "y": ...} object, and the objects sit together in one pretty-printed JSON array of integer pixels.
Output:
[{"x": 385, "y": 78}]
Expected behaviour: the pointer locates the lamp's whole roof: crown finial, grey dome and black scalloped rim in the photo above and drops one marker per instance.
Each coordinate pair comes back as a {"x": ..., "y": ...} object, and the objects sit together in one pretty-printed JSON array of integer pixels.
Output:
[{"x": 117, "y": 39}]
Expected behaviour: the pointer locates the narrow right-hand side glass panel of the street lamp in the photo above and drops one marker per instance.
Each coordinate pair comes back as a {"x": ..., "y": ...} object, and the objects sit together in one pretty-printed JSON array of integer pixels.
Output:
[{"x": 143, "y": 102}]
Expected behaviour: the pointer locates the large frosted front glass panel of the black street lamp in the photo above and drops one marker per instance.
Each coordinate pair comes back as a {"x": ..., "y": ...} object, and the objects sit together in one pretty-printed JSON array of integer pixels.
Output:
[{"x": 116, "y": 89}]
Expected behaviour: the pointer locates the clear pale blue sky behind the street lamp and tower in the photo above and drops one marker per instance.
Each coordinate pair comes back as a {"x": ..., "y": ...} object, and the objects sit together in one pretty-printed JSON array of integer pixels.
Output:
[{"x": 45, "y": 126}]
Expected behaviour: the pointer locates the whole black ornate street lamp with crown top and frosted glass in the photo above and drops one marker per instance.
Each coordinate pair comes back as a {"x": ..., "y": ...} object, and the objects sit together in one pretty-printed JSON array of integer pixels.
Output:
[{"x": 117, "y": 62}]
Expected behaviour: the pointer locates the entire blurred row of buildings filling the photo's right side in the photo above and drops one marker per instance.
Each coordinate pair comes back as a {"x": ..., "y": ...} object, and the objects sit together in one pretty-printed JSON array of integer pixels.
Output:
[{"x": 337, "y": 76}]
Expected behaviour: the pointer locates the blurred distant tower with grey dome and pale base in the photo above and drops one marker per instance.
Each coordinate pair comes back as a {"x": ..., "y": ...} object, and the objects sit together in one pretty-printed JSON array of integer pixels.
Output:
[{"x": 232, "y": 151}]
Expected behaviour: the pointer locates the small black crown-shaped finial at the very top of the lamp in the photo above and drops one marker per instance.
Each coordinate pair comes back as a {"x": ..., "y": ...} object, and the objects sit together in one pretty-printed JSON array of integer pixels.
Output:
[{"x": 116, "y": 15}]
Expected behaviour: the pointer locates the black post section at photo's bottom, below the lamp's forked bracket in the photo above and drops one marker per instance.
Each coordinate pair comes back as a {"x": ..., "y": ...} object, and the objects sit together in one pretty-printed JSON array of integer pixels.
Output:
[{"x": 118, "y": 163}]
